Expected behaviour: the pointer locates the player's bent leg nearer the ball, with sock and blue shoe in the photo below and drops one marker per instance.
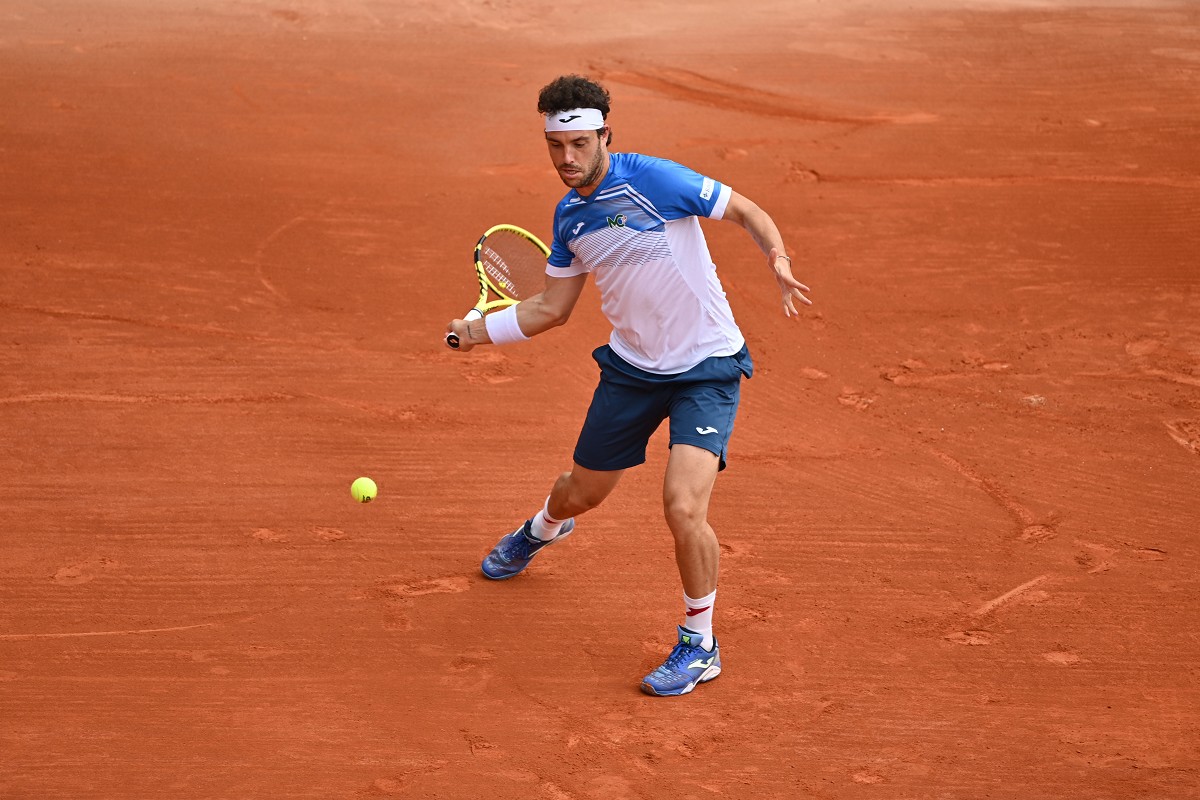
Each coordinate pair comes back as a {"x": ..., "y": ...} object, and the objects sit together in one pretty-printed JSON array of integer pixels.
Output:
[{"x": 574, "y": 494}]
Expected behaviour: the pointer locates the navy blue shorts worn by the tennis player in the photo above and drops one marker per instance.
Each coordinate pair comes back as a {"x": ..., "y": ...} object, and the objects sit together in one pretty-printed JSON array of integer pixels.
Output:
[{"x": 631, "y": 404}]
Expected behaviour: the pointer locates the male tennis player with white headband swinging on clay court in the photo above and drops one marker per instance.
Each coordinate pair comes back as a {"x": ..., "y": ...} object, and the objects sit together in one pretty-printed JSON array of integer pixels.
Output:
[{"x": 675, "y": 353}]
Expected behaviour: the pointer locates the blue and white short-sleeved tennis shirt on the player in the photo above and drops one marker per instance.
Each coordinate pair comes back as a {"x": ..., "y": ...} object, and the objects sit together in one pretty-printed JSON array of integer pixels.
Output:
[{"x": 640, "y": 237}]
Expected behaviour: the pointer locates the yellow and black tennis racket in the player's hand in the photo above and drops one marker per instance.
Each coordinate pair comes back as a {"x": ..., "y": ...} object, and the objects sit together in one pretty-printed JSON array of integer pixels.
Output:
[{"x": 511, "y": 264}]
